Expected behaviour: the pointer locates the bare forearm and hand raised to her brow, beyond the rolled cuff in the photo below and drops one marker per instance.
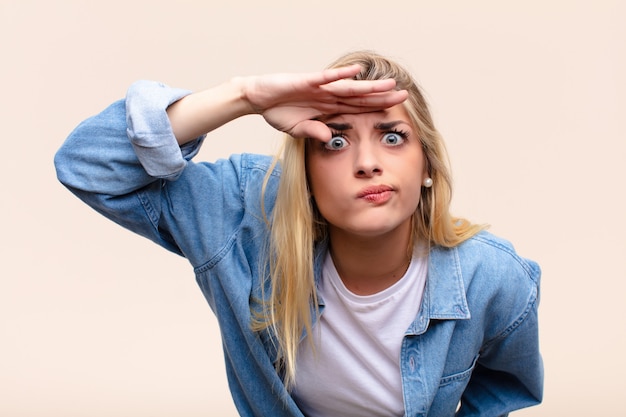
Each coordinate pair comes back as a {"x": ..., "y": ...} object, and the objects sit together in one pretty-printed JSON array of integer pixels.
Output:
[{"x": 288, "y": 102}]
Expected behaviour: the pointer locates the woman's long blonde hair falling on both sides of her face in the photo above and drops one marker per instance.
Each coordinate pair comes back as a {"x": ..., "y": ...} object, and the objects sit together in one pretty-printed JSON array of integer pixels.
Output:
[{"x": 297, "y": 225}]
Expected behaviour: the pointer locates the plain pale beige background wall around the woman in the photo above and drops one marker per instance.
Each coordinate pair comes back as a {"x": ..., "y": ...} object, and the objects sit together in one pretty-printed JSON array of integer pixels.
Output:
[{"x": 530, "y": 96}]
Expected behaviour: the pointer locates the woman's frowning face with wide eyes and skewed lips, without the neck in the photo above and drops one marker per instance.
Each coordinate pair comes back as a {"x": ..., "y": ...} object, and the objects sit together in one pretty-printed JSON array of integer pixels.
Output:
[{"x": 366, "y": 180}]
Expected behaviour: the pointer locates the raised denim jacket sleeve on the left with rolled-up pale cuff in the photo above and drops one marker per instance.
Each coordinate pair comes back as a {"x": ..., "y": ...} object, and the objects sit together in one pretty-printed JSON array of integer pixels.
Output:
[{"x": 128, "y": 147}]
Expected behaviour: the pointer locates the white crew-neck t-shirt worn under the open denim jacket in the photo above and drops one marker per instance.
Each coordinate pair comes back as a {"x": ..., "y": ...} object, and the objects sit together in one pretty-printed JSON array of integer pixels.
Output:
[{"x": 355, "y": 369}]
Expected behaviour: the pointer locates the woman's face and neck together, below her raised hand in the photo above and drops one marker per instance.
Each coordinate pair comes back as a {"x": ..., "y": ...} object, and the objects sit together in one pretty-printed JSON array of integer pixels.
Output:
[{"x": 366, "y": 183}]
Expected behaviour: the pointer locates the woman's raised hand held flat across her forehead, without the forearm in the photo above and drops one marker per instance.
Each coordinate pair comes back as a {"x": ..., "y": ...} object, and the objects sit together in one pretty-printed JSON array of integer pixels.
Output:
[{"x": 292, "y": 102}]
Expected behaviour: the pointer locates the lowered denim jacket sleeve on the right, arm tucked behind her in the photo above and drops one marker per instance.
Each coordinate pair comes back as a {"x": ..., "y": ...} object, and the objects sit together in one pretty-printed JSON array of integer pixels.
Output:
[{"x": 509, "y": 372}]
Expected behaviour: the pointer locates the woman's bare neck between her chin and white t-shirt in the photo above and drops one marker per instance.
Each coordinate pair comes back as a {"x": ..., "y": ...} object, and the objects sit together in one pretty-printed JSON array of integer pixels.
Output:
[{"x": 370, "y": 265}]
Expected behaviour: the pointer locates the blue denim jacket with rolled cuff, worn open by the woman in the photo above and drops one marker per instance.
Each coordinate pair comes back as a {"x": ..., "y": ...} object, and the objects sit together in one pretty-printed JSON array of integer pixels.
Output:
[{"x": 475, "y": 339}]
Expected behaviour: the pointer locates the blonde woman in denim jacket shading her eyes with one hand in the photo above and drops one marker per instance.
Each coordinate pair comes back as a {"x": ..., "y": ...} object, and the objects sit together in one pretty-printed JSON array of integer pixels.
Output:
[{"x": 342, "y": 284}]
